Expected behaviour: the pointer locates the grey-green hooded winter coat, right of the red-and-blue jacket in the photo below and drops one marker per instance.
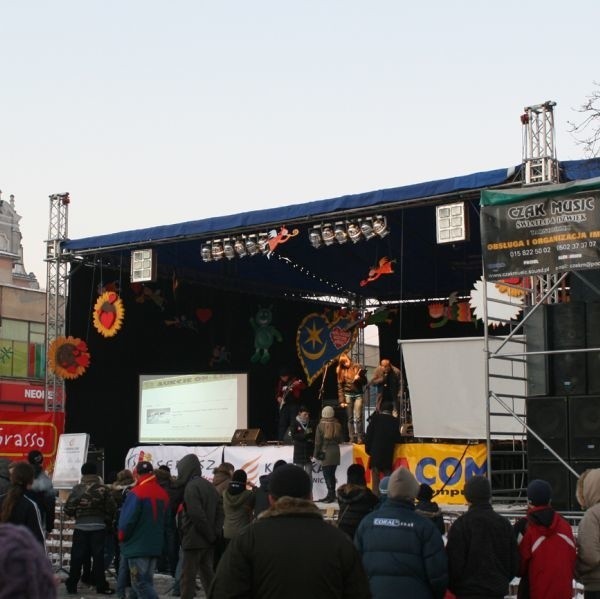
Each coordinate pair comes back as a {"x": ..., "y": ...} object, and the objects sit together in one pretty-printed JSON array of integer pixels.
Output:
[{"x": 201, "y": 520}]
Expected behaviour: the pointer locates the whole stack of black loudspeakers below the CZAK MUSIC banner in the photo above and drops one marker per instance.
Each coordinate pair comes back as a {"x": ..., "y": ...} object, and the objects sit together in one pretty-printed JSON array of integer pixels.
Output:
[{"x": 563, "y": 403}]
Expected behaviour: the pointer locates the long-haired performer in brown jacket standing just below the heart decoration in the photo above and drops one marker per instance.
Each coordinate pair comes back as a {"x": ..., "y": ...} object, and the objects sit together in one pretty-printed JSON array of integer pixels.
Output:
[{"x": 351, "y": 379}]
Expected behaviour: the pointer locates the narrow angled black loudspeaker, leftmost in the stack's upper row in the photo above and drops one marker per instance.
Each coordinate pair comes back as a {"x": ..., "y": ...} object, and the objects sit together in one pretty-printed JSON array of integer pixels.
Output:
[{"x": 536, "y": 334}]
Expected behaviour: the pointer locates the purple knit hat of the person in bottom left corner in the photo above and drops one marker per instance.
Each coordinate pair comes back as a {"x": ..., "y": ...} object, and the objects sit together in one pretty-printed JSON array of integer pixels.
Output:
[{"x": 25, "y": 570}]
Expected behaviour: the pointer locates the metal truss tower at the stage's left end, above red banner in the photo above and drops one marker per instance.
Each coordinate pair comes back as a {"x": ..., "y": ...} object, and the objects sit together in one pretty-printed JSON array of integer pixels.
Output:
[{"x": 56, "y": 295}]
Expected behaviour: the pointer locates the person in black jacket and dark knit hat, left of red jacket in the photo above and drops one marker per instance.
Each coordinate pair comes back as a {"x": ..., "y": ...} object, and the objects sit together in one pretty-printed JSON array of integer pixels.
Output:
[{"x": 482, "y": 548}]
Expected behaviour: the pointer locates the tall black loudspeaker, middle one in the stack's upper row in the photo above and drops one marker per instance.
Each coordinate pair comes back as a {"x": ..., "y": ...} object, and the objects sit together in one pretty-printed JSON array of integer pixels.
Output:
[{"x": 567, "y": 331}]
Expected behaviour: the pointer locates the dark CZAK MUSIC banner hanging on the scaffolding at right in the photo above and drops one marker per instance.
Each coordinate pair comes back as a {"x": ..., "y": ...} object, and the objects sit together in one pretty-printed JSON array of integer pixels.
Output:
[{"x": 540, "y": 231}]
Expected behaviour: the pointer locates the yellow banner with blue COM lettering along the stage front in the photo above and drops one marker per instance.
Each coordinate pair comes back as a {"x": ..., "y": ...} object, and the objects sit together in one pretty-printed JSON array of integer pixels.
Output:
[{"x": 445, "y": 467}]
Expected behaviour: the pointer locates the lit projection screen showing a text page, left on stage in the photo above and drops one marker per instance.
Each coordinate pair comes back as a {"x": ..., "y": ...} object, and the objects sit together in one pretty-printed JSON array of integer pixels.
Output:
[{"x": 192, "y": 408}]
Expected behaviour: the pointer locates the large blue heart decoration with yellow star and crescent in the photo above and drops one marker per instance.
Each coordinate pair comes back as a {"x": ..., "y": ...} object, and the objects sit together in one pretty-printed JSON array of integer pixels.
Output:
[{"x": 319, "y": 340}]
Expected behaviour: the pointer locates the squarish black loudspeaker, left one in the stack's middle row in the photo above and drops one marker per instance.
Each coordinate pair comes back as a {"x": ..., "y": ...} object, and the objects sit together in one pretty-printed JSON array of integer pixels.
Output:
[{"x": 547, "y": 416}]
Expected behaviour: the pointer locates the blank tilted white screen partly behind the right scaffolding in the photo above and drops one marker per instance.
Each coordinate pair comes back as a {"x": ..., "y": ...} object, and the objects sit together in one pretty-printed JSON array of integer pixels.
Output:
[{"x": 446, "y": 379}]
